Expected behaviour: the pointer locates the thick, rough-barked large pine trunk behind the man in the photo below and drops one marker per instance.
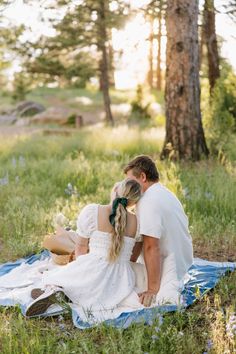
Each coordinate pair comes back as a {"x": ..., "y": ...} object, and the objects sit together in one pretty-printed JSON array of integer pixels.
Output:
[{"x": 184, "y": 132}]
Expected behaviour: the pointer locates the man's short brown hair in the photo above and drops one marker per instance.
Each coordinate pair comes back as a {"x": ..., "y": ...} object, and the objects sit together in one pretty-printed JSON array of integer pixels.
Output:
[{"x": 143, "y": 163}]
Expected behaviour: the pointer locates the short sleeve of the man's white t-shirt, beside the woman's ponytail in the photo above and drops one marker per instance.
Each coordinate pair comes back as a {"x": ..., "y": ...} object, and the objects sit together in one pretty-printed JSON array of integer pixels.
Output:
[{"x": 149, "y": 219}]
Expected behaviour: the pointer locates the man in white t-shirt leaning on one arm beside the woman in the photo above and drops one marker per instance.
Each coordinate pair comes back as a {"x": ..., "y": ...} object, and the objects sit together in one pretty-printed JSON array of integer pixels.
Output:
[{"x": 163, "y": 226}]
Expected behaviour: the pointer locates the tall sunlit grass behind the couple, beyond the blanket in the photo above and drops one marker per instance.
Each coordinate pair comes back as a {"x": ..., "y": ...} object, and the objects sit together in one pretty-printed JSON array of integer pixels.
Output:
[{"x": 39, "y": 168}]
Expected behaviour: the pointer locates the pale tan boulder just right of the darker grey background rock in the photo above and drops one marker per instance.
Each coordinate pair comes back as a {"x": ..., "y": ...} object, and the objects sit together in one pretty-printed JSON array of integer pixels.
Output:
[{"x": 58, "y": 115}]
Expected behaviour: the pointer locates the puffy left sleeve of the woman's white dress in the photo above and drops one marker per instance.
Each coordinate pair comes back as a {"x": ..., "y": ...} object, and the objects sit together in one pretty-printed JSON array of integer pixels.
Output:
[{"x": 86, "y": 222}]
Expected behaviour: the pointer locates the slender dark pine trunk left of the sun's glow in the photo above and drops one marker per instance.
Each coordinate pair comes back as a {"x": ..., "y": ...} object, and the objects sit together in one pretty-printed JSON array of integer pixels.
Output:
[{"x": 104, "y": 66}]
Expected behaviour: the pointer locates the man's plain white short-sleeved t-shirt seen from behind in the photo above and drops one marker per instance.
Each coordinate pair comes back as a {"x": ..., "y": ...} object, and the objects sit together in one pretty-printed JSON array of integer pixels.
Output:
[{"x": 161, "y": 215}]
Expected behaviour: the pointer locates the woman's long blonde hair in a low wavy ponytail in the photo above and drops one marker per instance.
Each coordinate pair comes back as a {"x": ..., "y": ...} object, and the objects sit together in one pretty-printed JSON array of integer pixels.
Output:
[{"x": 129, "y": 191}]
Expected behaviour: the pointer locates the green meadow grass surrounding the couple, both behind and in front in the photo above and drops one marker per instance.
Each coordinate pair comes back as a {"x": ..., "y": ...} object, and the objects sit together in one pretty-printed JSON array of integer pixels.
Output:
[{"x": 37, "y": 170}]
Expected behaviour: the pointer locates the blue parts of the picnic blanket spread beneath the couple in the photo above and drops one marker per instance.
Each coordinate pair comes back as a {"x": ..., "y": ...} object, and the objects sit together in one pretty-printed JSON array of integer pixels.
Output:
[{"x": 203, "y": 276}]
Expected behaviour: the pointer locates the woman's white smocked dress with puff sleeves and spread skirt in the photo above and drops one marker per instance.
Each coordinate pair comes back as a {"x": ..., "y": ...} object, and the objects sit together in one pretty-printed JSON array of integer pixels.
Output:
[{"x": 97, "y": 287}]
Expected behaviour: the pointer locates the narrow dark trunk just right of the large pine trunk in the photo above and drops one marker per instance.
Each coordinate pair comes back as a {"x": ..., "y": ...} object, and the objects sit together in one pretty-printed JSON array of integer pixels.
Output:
[{"x": 211, "y": 43}]
